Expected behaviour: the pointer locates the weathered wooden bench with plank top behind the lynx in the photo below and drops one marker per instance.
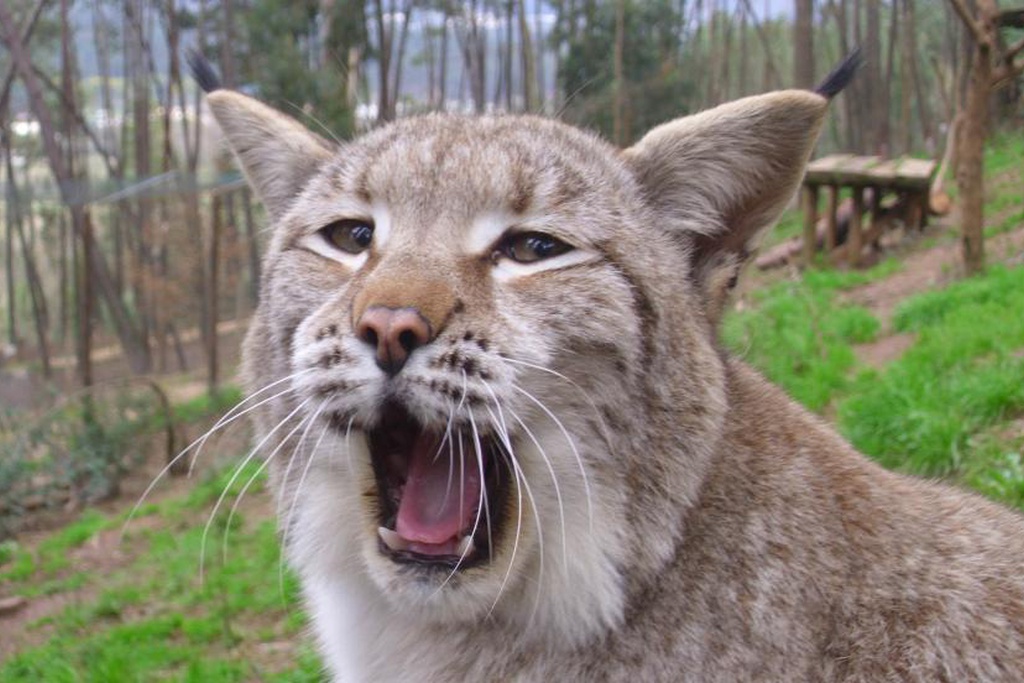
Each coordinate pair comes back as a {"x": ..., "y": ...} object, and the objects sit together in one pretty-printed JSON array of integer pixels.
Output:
[{"x": 909, "y": 179}]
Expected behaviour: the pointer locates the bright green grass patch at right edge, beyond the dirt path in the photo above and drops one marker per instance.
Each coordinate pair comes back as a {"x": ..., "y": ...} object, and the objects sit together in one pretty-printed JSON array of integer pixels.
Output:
[{"x": 964, "y": 374}]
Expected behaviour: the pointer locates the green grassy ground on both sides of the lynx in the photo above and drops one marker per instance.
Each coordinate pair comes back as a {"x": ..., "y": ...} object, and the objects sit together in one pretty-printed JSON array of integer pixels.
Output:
[{"x": 952, "y": 400}]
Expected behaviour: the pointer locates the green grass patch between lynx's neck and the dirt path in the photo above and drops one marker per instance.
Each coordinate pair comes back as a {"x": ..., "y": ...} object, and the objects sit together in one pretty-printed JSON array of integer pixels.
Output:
[{"x": 801, "y": 336}]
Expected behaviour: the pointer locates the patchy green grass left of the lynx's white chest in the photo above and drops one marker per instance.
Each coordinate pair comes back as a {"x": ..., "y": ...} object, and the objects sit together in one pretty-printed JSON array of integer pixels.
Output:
[{"x": 155, "y": 619}]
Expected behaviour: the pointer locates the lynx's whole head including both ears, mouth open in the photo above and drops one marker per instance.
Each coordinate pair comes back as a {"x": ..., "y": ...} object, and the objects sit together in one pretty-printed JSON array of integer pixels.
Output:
[{"x": 498, "y": 386}]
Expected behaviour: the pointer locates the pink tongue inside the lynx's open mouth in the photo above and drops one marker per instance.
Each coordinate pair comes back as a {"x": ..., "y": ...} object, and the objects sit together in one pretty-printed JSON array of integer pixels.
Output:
[{"x": 438, "y": 505}]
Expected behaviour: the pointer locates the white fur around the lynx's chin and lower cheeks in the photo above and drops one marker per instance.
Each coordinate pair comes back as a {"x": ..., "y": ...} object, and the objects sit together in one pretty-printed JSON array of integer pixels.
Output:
[{"x": 363, "y": 602}]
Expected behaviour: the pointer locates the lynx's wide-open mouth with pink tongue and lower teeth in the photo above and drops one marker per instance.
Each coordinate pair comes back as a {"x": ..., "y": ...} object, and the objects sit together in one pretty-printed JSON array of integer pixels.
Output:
[{"x": 442, "y": 492}]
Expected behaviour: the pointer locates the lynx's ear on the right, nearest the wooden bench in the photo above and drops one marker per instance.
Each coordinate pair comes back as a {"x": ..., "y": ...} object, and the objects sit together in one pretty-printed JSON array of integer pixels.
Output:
[{"x": 718, "y": 178}]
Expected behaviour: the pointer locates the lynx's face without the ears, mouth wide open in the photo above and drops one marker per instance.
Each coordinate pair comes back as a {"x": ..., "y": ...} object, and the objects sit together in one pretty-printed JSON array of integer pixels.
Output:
[{"x": 454, "y": 295}]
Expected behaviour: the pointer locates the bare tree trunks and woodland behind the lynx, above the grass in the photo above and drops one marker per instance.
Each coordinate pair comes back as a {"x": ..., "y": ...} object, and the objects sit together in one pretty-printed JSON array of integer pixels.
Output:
[{"x": 125, "y": 224}]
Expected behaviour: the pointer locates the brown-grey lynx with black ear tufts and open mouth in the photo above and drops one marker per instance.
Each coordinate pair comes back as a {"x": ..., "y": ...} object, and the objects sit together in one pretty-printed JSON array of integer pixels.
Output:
[{"x": 507, "y": 445}]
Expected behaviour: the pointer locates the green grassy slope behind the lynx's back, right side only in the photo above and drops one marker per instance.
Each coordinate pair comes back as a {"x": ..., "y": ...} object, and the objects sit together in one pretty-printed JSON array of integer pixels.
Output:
[{"x": 952, "y": 405}]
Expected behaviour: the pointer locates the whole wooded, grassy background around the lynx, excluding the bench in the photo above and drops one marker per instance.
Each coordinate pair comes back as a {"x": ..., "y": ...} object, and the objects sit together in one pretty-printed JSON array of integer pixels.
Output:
[{"x": 131, "y": 257}]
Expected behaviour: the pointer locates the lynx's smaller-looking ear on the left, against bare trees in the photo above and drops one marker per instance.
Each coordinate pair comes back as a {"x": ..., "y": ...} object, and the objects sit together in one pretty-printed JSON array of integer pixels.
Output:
[{"x": 277, "y": 153}]
